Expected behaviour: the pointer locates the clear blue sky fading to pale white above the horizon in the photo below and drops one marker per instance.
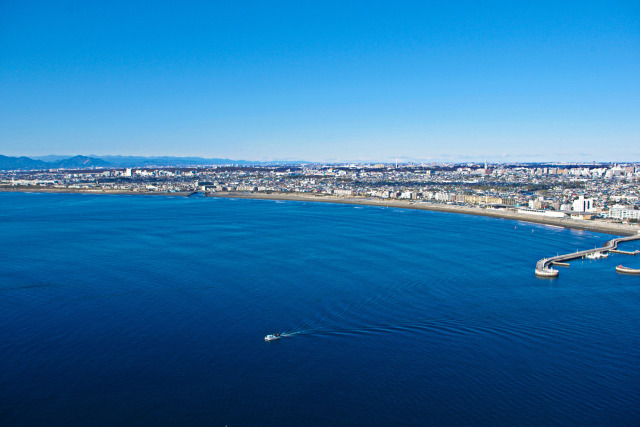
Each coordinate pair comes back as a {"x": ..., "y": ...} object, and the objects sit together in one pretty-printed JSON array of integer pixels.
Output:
[{"x": 322, "y": 80}]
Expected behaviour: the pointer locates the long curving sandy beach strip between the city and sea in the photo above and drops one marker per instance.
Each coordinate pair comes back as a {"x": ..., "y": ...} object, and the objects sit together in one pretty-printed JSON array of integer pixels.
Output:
[{"x": 587, "y": 225}]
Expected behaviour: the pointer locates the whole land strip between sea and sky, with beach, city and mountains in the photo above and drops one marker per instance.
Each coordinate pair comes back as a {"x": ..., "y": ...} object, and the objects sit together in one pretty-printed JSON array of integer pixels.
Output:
[{"x": 598, "y": 195}]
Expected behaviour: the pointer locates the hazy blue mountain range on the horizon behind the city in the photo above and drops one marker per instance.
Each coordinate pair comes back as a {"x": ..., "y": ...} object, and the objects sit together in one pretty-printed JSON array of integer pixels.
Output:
[{"x": 79, "y": 162}]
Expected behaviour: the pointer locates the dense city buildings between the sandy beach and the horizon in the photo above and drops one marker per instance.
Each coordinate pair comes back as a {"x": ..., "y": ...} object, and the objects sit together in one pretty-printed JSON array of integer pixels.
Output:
[{"x": 555, "y": 190}]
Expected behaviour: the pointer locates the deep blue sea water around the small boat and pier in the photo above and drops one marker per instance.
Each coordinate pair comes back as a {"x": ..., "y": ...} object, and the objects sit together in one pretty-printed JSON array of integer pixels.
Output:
[{"x": 138, "y": 310}]
